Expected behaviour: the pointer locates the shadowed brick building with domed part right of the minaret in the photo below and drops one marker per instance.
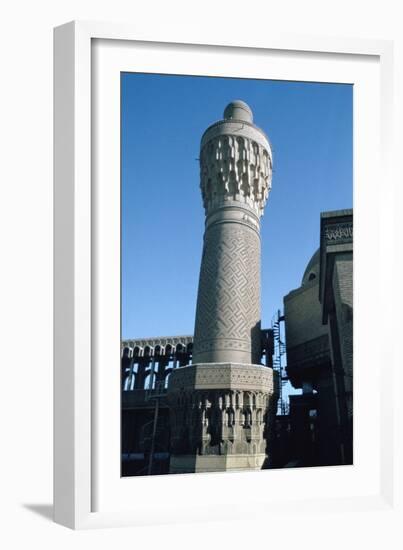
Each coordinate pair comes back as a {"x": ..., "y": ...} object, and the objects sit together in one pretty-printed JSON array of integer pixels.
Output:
[{"x": 319, "y": 340}]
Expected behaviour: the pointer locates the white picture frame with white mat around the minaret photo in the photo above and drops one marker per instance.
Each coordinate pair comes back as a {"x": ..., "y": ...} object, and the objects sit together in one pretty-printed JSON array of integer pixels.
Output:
[{"x": 85, "y": 492}]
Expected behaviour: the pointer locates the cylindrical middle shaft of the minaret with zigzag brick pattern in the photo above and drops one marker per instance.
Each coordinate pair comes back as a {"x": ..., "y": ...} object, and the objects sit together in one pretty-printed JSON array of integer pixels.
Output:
[{"x": 228, "y": 304}]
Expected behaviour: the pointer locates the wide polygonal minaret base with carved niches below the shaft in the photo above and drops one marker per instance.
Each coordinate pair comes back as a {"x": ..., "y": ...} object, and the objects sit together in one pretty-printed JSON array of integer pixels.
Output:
[{"x": 221, "y": 416}]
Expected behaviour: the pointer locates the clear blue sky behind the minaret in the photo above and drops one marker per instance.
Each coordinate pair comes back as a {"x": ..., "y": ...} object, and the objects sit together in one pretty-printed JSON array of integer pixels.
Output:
[{"x": 163, "y": 118}]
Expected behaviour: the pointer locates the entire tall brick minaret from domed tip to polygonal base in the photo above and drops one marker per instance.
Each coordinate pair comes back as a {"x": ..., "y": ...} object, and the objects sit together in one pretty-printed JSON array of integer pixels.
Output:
[{"x": 221, "y": 405}]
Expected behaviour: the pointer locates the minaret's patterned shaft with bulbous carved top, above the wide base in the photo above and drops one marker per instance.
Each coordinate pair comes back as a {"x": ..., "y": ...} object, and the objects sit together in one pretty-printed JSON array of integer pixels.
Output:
[{"x": 235, "y": 173}]
